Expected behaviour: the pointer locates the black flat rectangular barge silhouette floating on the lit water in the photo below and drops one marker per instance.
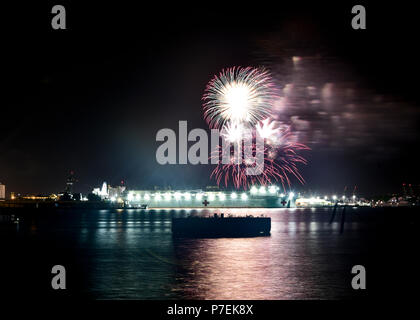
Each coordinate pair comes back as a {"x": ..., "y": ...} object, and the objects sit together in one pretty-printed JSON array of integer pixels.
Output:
[{"x": 221, "y": 226}]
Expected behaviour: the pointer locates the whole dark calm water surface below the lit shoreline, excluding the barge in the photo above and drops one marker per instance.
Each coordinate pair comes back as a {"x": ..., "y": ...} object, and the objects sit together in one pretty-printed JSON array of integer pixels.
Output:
[{"x": 131, "y": 254}]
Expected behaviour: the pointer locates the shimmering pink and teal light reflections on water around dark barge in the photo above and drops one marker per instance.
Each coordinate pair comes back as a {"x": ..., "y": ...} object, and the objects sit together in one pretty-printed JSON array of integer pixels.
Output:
[{"x": 275, "y": 267}]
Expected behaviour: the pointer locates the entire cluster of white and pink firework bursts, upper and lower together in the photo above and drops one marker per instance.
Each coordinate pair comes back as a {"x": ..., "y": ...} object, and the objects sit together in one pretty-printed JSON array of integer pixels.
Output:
[{"x": 240, "y": 101}]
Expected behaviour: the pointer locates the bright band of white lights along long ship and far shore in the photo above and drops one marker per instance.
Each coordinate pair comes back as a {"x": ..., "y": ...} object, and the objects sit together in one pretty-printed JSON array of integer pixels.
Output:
[{"x": 258, "y": 196}]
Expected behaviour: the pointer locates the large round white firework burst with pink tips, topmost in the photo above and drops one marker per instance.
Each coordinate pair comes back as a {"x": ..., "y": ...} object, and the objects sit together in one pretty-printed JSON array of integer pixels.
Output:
[{"x": 239, "y": 95}]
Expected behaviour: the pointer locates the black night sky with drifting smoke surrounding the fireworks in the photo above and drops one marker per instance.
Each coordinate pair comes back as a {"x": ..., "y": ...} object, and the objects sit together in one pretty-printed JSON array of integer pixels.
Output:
[{"x": 92, "y": 98}]
